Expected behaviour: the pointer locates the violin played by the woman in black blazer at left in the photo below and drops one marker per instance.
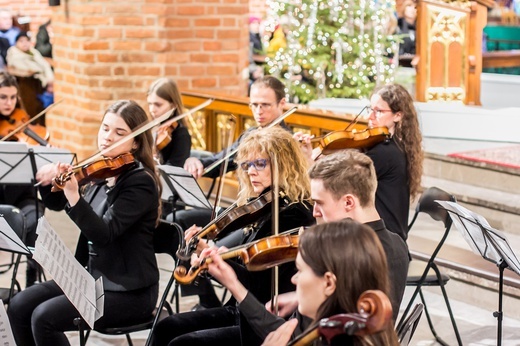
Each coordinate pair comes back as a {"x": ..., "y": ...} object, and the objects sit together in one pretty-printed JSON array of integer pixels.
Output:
[{"x": 97, "y": 170}]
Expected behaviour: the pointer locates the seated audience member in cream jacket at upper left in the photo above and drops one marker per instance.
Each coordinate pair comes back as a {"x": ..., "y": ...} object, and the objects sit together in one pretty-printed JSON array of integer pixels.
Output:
[{"x": 24, "y": 58}]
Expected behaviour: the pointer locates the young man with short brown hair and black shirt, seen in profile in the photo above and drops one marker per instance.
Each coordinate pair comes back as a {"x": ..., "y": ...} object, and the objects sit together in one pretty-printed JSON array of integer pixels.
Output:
[{"x": 343, "y": 185}]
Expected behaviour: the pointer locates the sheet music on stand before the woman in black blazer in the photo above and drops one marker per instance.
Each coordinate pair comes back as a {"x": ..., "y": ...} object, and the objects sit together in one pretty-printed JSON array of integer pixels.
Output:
[{"x": 77, "y": 284}]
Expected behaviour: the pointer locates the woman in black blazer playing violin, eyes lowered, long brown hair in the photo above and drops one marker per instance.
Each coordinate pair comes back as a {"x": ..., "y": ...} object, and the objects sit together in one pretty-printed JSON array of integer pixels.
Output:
[{"x": 116, "y": 218}]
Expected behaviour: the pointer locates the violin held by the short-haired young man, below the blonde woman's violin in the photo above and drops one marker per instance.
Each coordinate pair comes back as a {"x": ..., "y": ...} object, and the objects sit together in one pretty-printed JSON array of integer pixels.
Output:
[{"x": 259, "y": 255}]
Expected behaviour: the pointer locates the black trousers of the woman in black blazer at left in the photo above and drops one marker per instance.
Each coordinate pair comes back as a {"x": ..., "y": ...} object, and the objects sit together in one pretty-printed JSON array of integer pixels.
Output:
[{"x": 41, "y": 313}]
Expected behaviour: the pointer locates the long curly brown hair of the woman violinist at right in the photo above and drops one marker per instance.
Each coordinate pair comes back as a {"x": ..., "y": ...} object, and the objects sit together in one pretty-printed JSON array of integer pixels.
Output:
[{"x": 407, "y": 134}]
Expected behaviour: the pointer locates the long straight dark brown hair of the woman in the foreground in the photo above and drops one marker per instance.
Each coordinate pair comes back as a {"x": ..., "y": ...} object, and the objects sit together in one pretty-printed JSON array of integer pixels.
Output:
[{"x": 353, "y": 253}]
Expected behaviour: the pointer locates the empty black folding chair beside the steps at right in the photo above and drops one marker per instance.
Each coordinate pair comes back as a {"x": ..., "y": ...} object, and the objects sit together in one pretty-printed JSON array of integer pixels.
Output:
[{"x": 429, "y": 274}]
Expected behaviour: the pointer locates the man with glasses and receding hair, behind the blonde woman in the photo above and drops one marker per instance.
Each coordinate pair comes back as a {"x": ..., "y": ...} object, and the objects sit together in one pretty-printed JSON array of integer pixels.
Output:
[{"x": 267, "y": 99}]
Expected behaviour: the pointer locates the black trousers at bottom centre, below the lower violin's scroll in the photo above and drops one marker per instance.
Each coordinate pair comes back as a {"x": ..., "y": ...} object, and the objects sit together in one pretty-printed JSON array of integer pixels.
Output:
[{"x": 217, "y": 326}]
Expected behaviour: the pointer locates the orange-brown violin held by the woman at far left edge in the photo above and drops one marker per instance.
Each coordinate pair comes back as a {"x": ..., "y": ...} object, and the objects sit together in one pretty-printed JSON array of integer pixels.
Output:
[{"x": 32, "y": 134}]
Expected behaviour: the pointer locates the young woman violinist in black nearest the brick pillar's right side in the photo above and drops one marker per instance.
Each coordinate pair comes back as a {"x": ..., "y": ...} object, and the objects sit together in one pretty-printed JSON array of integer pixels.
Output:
[{"x": 173, "y": 142}]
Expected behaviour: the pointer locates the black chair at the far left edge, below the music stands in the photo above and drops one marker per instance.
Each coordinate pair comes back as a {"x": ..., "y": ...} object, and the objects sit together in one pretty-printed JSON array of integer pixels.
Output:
[{"x": 16, "y": 220}]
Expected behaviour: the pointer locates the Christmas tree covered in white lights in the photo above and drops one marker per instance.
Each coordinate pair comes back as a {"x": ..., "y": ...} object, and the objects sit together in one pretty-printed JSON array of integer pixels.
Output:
[{"x": 335, "y": 48}]
